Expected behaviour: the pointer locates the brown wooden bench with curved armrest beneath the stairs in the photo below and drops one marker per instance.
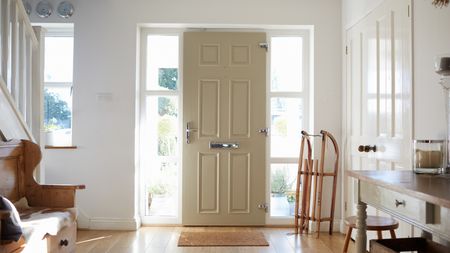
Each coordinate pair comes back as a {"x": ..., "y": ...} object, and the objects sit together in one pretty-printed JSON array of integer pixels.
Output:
[{"x": 18, "y": 160}]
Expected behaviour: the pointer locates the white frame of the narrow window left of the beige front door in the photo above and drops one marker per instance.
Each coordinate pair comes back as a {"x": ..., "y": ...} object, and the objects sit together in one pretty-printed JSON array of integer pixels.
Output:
[{"x": 142, "y": 94}]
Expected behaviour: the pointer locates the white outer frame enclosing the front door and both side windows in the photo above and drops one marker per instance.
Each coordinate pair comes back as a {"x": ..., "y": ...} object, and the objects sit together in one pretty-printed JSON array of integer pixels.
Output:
[{"x": 306, "y": 31}]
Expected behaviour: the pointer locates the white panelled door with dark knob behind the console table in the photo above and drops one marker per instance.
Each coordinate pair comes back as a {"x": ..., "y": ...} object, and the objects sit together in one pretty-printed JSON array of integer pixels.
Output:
[{"x": 378, "y": 94}]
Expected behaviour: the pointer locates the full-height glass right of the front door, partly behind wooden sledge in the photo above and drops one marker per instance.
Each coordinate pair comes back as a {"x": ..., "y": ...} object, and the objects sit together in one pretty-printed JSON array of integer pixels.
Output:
[{"x": 287, "y": 118}]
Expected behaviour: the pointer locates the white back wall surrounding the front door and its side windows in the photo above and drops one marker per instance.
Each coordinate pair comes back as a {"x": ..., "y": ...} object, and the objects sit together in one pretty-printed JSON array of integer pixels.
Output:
[{"x": 105, "y": 61}]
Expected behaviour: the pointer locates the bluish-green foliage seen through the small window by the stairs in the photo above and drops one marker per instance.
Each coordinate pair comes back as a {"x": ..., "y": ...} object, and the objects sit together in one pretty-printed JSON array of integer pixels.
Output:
[{"x": 57, "y": 114}]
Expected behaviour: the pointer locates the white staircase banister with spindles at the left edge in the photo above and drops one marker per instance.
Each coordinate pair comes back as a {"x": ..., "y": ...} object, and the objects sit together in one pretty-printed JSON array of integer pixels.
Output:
[{"x": 21, "y": 73}]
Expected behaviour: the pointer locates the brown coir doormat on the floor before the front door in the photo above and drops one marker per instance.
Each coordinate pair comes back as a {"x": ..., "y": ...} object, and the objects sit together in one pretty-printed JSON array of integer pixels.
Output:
[{"x": 196, "y": 239}]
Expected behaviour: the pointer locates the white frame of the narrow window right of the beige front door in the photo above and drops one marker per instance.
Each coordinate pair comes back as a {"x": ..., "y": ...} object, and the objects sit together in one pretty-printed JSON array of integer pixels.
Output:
[{"x": 305, "y": 95}]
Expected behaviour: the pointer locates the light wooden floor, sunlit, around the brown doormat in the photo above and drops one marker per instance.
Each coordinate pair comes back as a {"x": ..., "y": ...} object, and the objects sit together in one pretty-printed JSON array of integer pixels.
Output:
[{"x": 165, "y": 239}]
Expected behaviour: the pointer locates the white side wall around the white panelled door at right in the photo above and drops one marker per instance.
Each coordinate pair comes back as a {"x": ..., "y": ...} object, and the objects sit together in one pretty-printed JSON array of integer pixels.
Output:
[{"x": 431, "y": 36}]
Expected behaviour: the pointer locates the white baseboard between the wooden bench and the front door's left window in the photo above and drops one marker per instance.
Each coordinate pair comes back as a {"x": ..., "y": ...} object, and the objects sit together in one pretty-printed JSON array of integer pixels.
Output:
[{"x": 103, "y": 223}]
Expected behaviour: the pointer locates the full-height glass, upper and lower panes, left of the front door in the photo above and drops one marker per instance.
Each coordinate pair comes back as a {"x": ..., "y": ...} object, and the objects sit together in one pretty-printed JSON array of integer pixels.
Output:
[{"x": 160, "y": 158}]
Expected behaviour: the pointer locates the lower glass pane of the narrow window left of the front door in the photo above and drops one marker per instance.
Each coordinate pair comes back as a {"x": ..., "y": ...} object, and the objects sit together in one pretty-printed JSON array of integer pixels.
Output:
[{"x": 161, "y": 184}]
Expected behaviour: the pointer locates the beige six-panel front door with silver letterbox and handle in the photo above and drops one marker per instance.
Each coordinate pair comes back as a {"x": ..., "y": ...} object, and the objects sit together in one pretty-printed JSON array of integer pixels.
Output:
[{"x": 224, "y": 102}]
